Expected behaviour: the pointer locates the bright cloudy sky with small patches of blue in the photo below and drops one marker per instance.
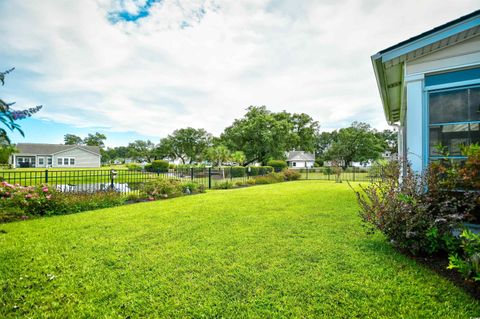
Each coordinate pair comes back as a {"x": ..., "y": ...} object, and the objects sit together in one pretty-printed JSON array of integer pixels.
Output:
[{"x": 140, "y": 69}]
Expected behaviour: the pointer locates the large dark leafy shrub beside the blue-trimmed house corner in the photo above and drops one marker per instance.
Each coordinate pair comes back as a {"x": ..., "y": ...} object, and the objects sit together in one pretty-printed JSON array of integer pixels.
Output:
[{"x": 412, "y": 218}]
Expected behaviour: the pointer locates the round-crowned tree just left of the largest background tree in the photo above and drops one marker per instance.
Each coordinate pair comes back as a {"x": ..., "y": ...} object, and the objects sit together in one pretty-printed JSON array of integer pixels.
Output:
[{"x": 187, "y": 144}]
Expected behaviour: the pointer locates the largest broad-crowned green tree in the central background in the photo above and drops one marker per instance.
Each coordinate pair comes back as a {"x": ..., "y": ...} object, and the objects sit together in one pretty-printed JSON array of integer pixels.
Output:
[{"x": 262, "y": 134}]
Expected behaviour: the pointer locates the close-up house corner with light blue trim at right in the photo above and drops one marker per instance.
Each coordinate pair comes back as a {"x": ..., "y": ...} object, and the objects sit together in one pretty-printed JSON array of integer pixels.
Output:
[{"x": 430, "y": 90}]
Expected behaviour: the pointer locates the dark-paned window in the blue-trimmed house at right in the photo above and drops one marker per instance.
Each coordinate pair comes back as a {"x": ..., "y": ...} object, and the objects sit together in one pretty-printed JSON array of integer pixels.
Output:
[{"x": 454, "y": 120}]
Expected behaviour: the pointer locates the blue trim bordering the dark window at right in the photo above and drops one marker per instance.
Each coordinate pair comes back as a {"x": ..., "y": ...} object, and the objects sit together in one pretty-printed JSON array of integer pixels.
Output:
[{"x": 426, "y": 118}]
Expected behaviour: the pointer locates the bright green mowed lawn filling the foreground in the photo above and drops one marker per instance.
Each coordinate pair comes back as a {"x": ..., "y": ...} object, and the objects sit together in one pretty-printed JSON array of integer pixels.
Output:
[{"x": 294, "y": 249}]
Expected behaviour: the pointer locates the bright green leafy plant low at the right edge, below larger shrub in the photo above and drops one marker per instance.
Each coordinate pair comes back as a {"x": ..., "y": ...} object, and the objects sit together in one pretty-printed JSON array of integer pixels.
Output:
[{"x": 468, "y": 263}]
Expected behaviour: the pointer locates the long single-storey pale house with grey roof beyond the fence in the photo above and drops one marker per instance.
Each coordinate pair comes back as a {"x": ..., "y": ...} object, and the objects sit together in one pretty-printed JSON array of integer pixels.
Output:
[{"x": 55, "y": 155}]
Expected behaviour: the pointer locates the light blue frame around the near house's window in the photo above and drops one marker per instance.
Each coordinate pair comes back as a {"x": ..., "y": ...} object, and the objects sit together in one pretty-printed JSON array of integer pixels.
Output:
[{"x": 427, "y": 125}]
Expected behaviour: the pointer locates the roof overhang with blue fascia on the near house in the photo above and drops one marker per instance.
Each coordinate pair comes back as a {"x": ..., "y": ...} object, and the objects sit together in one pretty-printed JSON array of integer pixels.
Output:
[{"x": 389, "y": 64}]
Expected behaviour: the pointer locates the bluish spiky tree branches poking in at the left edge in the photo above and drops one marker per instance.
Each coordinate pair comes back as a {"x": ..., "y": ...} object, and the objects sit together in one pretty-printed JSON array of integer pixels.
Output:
[{"x": 9, "y": 116}]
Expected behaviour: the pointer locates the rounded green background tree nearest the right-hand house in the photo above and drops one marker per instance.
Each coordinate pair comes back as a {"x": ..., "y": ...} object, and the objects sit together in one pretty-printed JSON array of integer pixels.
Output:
[{"x": 357, "y": 143}]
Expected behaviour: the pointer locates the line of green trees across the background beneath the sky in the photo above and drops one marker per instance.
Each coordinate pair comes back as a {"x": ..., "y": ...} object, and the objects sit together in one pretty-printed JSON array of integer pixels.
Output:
[{"x": 259, "y": 136}]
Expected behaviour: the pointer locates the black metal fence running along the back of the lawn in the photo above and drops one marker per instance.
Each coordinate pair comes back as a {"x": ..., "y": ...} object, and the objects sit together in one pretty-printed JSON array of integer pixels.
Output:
[{"x": 125, "y": 181}]
